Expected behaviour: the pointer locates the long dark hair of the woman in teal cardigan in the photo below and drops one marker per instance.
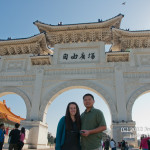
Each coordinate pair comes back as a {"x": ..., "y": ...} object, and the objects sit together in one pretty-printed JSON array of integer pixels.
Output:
[{"x": 77, "y": 117}]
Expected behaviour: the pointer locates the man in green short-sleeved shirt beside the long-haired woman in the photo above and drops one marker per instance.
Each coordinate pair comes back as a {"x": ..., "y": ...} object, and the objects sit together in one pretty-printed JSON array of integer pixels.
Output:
[{"x": 92, "y": 125}]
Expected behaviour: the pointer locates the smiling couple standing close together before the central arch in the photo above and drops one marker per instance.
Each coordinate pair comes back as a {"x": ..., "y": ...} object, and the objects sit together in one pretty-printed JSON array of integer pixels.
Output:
[{"x": 88, "y": 126}]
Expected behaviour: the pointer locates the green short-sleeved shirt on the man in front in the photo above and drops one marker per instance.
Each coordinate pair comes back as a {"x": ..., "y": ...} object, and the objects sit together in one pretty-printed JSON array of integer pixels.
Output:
[{"x": 92, "y": 120}]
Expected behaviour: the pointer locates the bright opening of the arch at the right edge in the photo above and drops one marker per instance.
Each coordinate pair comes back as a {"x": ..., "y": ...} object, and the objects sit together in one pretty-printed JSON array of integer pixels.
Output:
[{"x": 140, "y": 114}]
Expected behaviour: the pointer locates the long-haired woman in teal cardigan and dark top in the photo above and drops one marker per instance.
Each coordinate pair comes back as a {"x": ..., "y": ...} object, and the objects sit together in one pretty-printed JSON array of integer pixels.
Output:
[{"x": 68, "y": 129}]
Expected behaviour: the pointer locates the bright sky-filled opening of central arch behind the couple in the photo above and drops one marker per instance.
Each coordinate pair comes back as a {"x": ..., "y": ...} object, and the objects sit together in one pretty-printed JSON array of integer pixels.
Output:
[{"x": 58, "y": 104}]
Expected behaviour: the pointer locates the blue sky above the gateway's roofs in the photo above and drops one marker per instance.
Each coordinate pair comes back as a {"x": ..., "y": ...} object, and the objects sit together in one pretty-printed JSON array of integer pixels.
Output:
[{"x": 17, "y": 16}]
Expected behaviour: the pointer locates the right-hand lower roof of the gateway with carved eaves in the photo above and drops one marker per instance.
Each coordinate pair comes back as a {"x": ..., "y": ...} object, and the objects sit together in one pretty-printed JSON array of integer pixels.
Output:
[{"x": 125, "y": 39}]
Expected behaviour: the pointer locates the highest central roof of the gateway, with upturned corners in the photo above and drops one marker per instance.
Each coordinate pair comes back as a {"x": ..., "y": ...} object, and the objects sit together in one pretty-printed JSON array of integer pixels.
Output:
[{"x": 100, "y": 31}]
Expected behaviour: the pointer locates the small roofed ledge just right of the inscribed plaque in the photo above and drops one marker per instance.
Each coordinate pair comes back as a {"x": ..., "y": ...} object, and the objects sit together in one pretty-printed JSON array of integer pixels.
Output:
[{"x": 117, "y": 57}]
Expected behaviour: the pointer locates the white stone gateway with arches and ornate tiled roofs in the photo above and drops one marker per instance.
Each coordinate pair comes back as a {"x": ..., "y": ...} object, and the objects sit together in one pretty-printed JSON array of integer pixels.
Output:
[{"x": 29, "y": 68}]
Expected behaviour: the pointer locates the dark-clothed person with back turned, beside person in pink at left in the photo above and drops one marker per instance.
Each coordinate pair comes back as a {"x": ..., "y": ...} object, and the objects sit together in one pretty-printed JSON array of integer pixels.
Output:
[{"x": 15, "y": 137}]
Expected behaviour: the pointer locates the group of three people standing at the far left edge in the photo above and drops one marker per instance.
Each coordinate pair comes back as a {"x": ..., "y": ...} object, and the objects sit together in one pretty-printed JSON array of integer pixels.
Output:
[{"x": 16, "y": 137}]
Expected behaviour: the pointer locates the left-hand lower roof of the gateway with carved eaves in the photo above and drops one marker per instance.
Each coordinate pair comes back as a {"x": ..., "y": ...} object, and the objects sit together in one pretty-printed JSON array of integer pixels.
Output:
[{"x": 32, "y": 45}]
